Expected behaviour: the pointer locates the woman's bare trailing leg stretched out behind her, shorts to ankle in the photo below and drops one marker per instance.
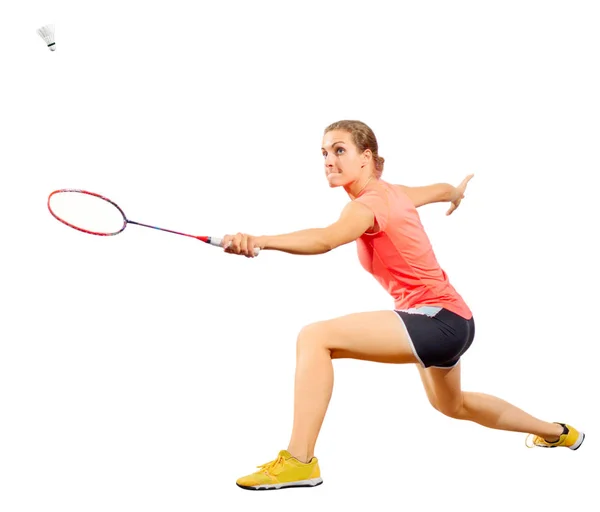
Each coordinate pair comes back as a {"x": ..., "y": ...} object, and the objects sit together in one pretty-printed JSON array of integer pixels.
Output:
[{"x": 444, "y": 392}]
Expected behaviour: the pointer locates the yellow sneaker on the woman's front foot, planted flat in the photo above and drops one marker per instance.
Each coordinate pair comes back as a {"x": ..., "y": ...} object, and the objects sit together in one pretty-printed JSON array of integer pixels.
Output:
[{"x": 284, "y": 471}]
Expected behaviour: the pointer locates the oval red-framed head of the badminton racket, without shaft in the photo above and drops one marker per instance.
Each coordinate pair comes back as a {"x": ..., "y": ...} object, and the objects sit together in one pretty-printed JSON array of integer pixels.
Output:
[{"x": 87, "y": 212}]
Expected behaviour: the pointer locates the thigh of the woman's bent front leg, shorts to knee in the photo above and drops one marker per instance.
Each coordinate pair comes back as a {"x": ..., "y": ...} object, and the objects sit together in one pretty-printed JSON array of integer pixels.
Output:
[{"x": 378, "y": 336}]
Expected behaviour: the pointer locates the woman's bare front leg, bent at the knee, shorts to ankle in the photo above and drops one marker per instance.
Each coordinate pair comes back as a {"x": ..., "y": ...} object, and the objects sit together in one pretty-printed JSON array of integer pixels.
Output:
[{"x": 378, "y": 336}]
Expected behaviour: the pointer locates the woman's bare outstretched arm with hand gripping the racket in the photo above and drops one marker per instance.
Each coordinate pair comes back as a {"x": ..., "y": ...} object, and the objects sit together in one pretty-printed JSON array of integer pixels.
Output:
[{"x": 354, "y": 220}]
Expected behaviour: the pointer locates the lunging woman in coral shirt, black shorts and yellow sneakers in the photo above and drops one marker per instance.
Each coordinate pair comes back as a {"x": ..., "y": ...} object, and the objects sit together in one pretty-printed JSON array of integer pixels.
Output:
[{"x": 431, "y": 326}]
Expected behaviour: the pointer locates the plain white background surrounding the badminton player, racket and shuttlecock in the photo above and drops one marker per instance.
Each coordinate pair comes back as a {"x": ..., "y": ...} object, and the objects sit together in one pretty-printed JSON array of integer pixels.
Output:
[{"x": 149, "y": 371}]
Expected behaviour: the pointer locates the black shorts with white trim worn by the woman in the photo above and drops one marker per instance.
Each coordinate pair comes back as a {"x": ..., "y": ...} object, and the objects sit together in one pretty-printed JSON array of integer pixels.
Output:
[{"x": 438, "y": 337}]
